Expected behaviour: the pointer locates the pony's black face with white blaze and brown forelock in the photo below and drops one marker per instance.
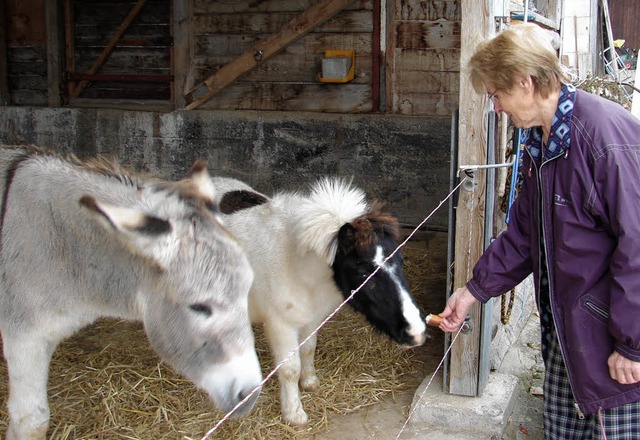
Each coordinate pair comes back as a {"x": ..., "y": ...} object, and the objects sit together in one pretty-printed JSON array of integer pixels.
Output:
[{"x": 385, "y": 299}]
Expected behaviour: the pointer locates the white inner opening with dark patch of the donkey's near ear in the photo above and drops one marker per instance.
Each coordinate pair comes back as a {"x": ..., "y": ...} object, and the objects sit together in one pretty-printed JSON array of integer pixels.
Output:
[{"x": 125, "y": 219}]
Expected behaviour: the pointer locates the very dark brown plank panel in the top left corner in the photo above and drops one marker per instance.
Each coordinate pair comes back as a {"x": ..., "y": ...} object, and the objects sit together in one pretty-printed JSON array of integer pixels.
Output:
[{"x": 26, "y": 51}]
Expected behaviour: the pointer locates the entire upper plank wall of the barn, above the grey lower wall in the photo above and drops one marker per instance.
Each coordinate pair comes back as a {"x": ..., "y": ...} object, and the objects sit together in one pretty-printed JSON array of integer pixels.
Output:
[{"x": 419, "y": 58}]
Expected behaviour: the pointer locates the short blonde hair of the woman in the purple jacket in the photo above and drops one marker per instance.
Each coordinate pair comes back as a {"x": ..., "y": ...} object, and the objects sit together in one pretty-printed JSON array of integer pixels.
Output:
[{"x": 522, "y": 50}]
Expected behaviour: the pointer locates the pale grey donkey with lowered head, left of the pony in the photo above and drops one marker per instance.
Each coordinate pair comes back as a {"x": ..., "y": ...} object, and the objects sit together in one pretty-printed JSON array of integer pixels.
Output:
[{"x": 82, "y": 240}]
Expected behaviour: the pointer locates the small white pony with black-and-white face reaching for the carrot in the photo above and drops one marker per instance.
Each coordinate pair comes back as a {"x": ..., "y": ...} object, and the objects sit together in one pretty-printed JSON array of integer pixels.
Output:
[{"x": 308, "y": 253}]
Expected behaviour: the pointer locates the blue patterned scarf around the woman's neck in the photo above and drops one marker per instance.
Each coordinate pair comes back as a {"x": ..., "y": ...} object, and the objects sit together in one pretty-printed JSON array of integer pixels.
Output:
[{"x": 559, "y": 139}]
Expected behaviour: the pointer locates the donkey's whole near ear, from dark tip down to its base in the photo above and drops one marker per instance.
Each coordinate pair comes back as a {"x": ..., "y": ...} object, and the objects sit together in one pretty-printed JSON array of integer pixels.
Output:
[{"x": 138, "y": 231}]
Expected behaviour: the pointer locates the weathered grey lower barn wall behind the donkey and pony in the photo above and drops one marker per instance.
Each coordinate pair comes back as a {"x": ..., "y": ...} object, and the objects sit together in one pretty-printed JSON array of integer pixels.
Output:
[{"x": 403, "y": 160}]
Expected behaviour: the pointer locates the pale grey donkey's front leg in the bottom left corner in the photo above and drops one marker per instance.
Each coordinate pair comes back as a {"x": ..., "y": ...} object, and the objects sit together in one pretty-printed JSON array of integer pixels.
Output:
[{"x": 28, "y": 366}]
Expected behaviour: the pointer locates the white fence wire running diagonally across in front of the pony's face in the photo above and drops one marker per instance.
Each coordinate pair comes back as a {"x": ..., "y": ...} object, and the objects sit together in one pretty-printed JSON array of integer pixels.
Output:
[{"x": 328, "y": 318}]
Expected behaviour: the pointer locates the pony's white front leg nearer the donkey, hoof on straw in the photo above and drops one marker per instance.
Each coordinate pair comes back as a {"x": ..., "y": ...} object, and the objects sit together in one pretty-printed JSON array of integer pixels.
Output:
[{"x": 283, "y": 339}]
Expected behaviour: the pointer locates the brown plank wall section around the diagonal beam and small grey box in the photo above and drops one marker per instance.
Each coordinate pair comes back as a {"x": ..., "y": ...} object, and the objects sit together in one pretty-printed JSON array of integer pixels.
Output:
[{"x": 288, "y": 80}]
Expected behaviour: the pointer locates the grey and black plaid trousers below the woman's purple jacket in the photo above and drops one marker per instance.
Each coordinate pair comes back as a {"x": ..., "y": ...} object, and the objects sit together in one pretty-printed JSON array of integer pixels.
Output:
[{"x": 561, "y": 418}]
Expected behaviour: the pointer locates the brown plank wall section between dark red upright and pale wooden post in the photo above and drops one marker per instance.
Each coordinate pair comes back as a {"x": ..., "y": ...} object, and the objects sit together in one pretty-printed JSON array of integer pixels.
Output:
[{"x": 423, "y": 60}]
